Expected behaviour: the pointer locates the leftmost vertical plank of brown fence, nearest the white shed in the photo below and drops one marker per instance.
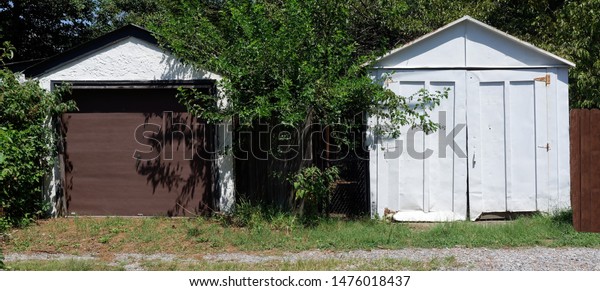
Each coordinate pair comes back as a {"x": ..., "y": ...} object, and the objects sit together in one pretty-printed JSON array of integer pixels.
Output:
[{"x": 575, "y": 144}]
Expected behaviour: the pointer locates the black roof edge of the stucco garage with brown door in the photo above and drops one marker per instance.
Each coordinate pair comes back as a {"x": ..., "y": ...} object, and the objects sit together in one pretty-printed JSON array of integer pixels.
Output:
[{"x": 90, "y": 46}]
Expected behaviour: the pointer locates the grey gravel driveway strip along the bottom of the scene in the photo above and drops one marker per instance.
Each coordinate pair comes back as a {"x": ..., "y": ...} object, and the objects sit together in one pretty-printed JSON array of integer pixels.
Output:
[{"x": 513, "y": 259}]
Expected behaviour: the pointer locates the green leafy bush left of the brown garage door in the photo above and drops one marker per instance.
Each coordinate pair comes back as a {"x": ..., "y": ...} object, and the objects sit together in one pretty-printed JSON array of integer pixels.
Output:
[{"x": 26, "y": 144}]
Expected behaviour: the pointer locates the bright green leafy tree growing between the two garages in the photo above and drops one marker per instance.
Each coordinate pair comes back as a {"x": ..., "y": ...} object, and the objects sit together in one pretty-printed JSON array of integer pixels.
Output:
[{"x": 289, "y": 63}]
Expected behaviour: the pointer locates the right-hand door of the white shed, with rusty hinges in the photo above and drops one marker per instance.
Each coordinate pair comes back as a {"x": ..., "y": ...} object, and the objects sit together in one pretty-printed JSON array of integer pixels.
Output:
[{"x": 507, "y": 140}]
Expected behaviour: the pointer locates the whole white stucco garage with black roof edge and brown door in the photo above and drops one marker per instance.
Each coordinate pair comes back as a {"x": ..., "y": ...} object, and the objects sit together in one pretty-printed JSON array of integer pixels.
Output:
[{"x": 98, "y": 161}]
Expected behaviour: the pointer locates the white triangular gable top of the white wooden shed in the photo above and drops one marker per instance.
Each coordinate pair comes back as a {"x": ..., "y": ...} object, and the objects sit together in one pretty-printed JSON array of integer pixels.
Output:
[{"x": 468, "y": 42}]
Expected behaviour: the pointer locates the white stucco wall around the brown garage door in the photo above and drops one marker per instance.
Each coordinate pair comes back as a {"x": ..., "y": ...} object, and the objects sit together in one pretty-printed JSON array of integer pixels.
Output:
[{"x": 132, "y": 59}]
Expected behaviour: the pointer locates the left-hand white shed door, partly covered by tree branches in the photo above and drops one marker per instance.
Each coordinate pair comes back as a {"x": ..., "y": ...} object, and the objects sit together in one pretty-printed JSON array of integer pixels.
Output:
[{"x": 424, "y": 176}]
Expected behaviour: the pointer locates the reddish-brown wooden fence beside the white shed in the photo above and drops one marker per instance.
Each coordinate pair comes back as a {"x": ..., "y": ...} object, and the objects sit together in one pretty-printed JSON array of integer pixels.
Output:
[{"x": 585, "y": 169}]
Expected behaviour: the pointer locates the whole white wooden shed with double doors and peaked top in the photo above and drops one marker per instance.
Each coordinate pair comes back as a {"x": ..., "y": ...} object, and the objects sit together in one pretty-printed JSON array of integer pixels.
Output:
[{"x": 504, "y": 145}]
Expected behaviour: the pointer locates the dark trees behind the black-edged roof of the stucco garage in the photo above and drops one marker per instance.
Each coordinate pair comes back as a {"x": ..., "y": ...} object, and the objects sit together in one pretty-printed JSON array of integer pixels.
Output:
[{"x": 40, "y": 29}]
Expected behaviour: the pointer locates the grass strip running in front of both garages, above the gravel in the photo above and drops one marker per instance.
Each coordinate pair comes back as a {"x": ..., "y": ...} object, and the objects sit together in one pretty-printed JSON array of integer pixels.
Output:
[{"x": 278, "y": 233}]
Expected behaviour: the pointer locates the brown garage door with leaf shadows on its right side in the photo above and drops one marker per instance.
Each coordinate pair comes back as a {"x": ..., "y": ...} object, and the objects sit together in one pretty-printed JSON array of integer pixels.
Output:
[{"x": 135, "y": 152}]
